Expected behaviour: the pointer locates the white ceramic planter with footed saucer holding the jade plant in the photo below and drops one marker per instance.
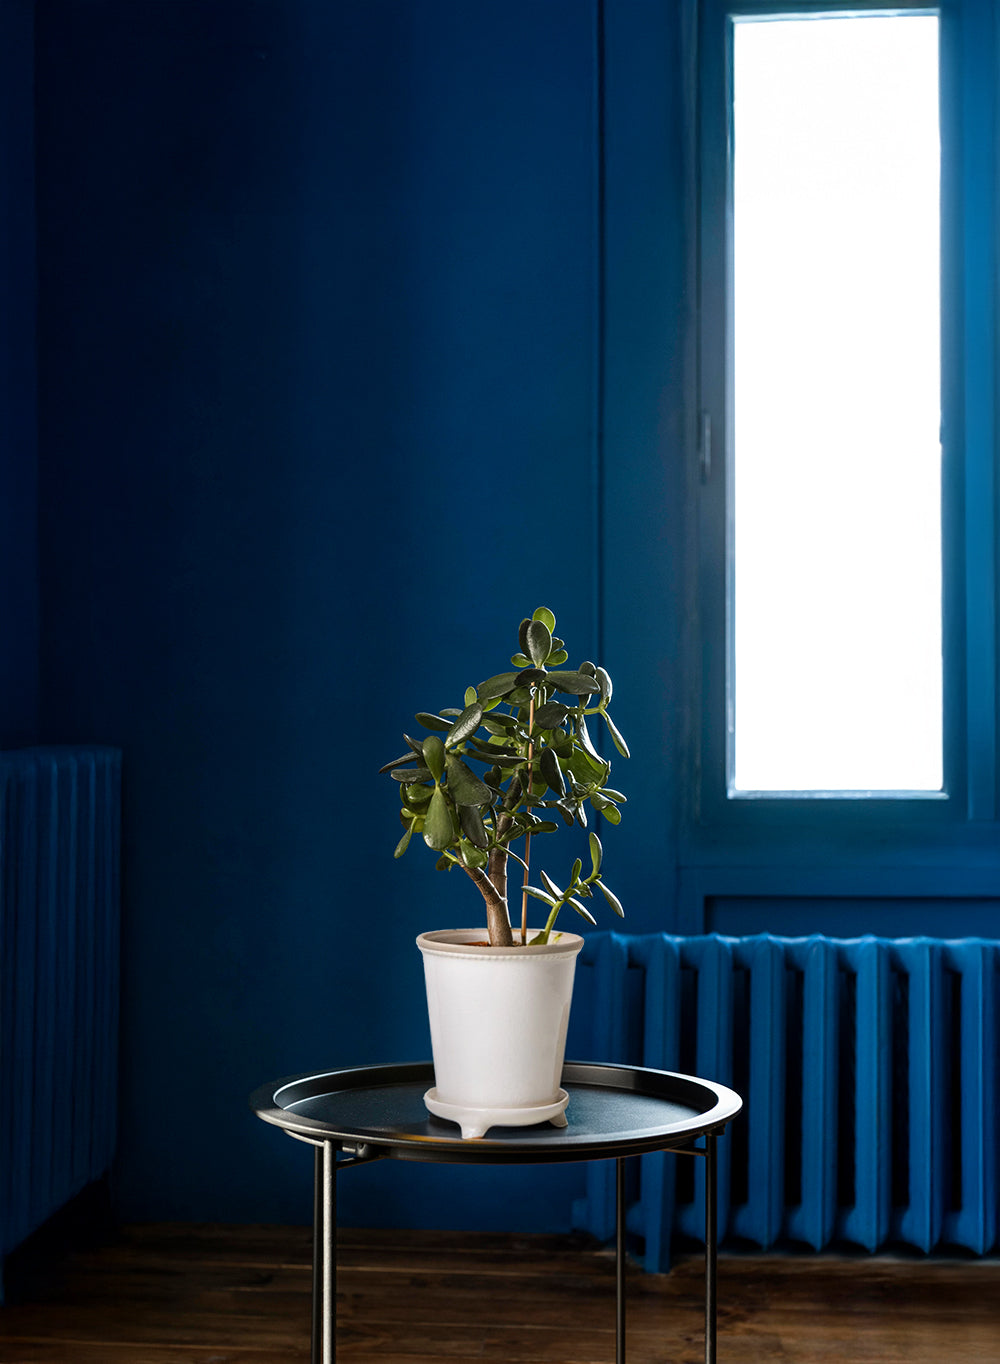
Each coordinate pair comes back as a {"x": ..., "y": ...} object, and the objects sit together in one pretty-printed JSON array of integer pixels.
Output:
[{"x": 499, "y": 1028}]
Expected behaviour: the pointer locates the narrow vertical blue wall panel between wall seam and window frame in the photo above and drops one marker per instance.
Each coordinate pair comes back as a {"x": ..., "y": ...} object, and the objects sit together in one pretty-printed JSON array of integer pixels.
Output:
[{"x": 649, "y": 391}]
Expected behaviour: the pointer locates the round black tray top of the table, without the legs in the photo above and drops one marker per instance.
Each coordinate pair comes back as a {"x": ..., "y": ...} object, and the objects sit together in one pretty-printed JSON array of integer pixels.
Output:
[{"x": 613, "y": 1111}]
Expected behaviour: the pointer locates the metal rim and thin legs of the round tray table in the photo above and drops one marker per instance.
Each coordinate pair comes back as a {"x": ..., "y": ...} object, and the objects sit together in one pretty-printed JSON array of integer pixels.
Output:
[{"x": 340, "y": 1149}]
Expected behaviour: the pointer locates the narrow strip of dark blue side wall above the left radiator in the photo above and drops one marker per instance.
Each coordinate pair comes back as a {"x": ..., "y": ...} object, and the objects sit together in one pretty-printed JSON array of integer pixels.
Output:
[{"x": 18, "y": 500}]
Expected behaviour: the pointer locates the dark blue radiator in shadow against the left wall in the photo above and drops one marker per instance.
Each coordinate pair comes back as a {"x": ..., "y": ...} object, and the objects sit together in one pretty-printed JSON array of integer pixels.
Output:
[{"x": 59, "y": 979}]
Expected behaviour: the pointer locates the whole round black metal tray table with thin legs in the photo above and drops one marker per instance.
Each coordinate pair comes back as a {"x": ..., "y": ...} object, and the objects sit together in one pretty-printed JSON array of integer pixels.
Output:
[{"x": 377, "y": 1112}]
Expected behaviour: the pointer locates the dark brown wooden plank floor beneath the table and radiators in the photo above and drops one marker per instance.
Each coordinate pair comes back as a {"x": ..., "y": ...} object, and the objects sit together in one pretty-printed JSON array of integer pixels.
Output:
[{"x": 223, "y": 1295}]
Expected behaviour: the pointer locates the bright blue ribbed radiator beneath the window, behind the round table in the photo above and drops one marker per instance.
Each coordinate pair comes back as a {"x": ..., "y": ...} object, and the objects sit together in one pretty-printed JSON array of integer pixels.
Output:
[{"x": 870, "y": 1071}]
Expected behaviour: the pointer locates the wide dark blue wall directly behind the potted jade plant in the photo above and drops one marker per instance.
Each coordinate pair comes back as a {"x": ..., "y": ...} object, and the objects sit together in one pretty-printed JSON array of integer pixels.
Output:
[{"x": 319, "y": 351}]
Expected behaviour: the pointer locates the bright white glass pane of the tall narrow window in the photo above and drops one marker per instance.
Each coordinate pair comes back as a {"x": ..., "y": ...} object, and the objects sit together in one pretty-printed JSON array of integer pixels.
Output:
[{"x": 836, "y": 612}]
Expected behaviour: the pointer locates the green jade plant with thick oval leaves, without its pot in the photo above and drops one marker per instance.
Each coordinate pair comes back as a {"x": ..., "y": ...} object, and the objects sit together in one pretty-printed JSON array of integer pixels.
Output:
[{"x": 526, "y": 732}]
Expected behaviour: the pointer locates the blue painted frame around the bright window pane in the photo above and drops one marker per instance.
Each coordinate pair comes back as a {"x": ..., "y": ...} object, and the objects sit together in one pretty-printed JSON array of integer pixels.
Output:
[{"x": 879, "y": 826}]
